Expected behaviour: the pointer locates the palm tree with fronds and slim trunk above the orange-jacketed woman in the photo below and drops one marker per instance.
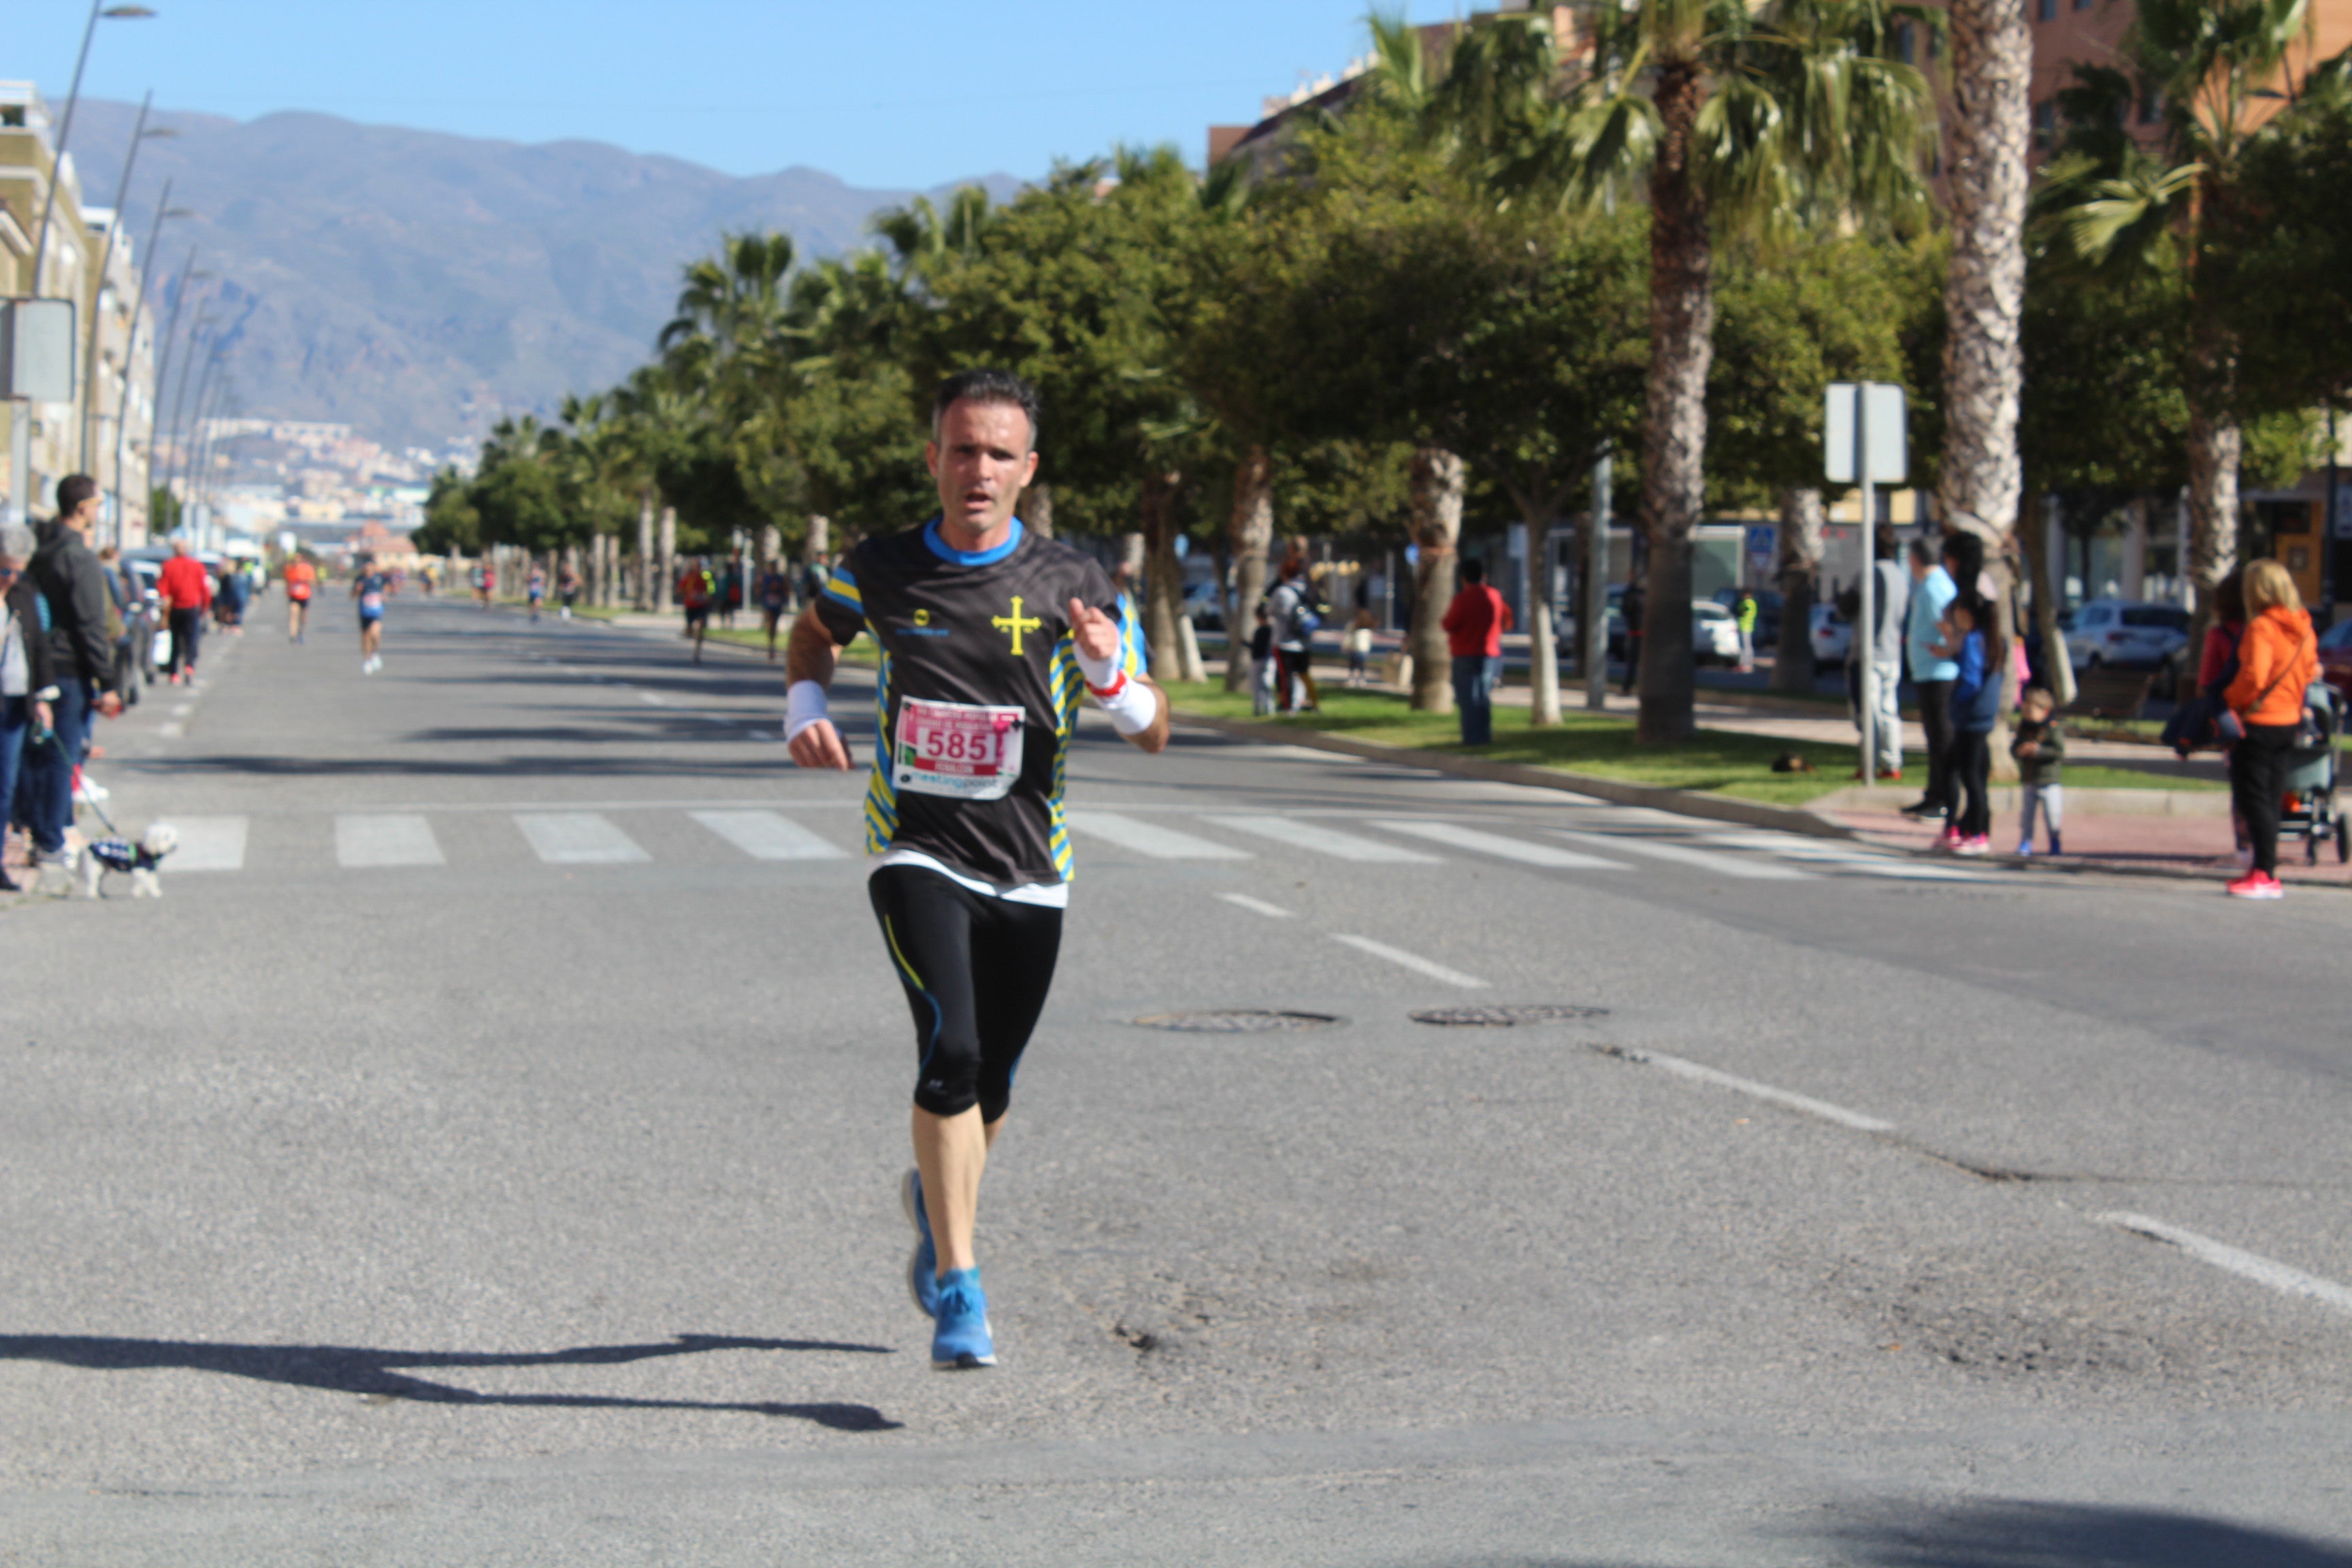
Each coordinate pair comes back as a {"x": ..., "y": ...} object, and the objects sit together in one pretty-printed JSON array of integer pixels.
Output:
[{"x": 2219, "y": 69}]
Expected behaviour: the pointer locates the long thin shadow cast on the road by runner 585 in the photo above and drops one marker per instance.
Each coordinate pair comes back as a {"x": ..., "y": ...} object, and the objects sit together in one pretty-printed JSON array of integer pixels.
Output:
[{"x": 373, "y": 1372}]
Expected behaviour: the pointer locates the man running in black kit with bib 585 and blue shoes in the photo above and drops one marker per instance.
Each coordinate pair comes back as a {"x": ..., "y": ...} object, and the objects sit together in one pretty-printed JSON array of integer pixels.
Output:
[{"x": 991, "y": 638}]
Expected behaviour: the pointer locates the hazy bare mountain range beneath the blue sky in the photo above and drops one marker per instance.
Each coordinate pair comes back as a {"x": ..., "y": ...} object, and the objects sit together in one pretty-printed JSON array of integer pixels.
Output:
[{"x": 415, "y": 283}]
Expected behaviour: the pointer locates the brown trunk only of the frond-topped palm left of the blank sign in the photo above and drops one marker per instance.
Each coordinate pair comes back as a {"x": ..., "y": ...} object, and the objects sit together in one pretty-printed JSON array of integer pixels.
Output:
[{"x": 1676, "y": 406}]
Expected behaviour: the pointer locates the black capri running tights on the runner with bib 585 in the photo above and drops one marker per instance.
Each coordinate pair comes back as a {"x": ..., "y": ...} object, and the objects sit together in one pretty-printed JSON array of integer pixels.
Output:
[{"x": 975, "y": 972}]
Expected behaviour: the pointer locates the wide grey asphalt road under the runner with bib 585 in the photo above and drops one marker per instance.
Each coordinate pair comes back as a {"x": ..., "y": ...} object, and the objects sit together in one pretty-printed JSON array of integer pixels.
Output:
[{"x": 486, "y": 1155}]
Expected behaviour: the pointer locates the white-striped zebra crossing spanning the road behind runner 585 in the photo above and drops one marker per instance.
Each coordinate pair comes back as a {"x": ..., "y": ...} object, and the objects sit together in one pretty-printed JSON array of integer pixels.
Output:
[{"x": 622, "y": 836}]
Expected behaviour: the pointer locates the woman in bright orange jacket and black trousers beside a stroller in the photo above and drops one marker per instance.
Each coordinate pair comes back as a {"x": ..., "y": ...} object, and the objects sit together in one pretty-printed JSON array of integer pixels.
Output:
[{"x": 2276, "y": 662}]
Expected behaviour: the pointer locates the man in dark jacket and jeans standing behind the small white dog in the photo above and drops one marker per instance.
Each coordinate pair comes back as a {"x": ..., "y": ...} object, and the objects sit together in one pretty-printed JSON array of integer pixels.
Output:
[{"x": 74, "y": 594}]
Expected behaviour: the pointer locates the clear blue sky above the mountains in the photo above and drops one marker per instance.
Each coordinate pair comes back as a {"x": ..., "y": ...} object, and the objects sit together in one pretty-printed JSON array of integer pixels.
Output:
[{"x": 902, "y": 93}]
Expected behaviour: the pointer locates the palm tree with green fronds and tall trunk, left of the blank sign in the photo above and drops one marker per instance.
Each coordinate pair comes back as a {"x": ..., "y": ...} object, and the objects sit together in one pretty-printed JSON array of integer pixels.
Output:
[{"x": 1739, "y": 126}]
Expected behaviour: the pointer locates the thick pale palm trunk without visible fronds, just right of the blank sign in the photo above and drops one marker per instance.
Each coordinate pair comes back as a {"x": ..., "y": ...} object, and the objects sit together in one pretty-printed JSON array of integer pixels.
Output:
[{"x": 1984, "y": 368}]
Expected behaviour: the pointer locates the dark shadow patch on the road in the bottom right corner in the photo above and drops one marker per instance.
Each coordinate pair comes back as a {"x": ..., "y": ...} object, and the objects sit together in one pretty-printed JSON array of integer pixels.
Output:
[{"x": 2071, "y": 1536}]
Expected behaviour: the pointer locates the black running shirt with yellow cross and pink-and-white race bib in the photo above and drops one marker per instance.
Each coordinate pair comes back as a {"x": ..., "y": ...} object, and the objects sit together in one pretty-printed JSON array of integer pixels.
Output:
[{"x": 980, "y": 643}]
